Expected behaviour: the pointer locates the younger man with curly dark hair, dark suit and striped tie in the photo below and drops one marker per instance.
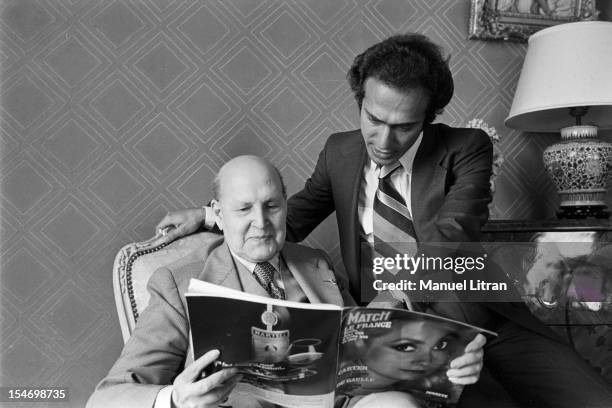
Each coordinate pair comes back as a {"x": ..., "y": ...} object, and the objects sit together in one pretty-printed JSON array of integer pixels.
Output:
[{"x": 442, "y": 182}]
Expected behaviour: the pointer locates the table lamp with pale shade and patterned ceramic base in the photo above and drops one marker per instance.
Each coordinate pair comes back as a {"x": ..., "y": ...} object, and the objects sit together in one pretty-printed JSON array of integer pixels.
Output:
[{"x": 566, "y": 86}]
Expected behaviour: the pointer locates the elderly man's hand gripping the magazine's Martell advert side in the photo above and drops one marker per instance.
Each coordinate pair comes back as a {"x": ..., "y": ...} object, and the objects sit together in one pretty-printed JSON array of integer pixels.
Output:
[{"x": 190, "y": 390}]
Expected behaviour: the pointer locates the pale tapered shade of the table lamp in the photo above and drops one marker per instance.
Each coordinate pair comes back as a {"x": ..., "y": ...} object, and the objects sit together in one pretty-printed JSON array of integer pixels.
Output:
[{"x": 567, "y": 65}]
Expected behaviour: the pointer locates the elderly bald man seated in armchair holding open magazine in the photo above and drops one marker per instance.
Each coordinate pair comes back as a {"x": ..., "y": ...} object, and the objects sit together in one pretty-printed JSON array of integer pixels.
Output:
[{"x": 250, "y": 207}]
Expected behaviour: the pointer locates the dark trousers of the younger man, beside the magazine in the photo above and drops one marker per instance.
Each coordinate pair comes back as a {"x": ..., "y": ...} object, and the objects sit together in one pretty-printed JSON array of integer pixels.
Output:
[{"x": 527, "y": 369}]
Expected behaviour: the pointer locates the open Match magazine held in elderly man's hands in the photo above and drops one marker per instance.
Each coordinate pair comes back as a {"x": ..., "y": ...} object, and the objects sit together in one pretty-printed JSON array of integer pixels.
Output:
[{"x": 321, "y": 355}]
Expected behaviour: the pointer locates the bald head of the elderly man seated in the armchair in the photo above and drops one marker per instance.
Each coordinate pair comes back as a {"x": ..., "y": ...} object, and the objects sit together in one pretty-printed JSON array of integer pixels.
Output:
[{"x": 250, "y": 207}]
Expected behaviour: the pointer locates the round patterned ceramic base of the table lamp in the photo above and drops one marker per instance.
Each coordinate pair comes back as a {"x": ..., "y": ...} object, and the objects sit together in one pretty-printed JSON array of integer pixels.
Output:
[{"x": 581, "y": 168}]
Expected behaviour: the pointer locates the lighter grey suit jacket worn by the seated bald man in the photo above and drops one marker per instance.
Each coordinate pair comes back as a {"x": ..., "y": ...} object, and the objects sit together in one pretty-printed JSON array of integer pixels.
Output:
[{"x": 158, "y": 350}]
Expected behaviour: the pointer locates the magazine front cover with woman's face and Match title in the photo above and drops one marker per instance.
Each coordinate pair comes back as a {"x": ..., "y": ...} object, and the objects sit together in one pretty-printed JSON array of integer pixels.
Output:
[{"x": 403, "y": 359}]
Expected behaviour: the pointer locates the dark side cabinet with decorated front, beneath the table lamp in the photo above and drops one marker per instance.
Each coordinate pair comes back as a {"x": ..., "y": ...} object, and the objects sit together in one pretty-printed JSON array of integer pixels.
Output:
[{"x": 563, "y": 270}]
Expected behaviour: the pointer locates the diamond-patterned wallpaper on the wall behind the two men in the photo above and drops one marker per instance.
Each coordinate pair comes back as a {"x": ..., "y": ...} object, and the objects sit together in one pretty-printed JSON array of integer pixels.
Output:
[{"x": 115, "y": 112}]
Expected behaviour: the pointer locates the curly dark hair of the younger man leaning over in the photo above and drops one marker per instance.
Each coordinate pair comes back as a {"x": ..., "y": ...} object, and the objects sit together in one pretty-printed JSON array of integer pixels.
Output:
[{"x": 403, "y": 62}]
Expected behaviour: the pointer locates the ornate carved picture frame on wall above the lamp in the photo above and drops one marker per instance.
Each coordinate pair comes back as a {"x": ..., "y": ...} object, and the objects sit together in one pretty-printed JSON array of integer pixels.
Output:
[{"x": 516, "y": 20}]
